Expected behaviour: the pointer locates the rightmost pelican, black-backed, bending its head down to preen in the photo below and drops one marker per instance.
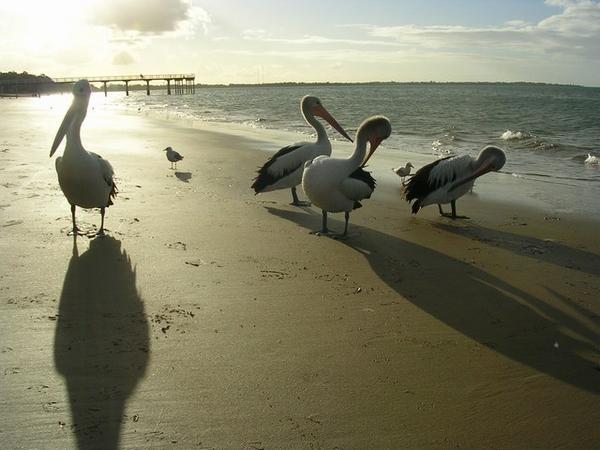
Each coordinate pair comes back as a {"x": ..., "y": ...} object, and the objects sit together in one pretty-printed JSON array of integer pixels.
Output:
[{"x": 447, "y": 179}]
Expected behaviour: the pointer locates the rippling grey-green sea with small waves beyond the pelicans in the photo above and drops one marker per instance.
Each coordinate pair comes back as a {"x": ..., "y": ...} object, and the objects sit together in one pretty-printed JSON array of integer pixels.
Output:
[{"x": 550, "y": 133}]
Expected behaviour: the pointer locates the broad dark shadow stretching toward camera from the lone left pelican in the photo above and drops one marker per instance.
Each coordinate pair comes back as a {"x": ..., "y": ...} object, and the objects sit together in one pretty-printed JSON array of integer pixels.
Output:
[{"x": 101, "y": 343}]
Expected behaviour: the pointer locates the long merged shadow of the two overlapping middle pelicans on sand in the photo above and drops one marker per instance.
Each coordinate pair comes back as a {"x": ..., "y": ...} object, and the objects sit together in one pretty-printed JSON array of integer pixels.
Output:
[{"x": 483, "y": 307}]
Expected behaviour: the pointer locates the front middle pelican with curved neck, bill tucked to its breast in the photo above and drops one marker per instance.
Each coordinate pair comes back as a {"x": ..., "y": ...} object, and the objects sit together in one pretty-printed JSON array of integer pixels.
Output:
[{"x": 338, "y": 184}]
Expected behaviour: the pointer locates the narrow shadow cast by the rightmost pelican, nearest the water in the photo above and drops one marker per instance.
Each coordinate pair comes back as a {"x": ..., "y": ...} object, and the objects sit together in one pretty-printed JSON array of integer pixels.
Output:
[{"x": 547, "y": 251}]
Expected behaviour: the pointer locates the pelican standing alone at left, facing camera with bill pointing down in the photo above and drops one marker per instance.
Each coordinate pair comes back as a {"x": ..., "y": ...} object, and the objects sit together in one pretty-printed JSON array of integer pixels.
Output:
[{"x": 84, "y": 177}]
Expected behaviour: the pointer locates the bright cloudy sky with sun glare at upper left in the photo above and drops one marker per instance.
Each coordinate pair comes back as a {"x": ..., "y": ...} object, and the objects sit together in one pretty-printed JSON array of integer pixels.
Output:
[{"x": 241, "y": 41}]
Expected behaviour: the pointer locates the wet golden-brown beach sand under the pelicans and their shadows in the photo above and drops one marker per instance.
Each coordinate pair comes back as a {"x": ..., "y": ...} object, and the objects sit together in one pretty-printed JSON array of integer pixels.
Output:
[{"x": 210, "y": 318}]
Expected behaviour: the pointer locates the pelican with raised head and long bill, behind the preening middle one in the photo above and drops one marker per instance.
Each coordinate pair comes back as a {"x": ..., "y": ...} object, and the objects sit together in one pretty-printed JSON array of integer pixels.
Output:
[{"x": 284, "y": 169}]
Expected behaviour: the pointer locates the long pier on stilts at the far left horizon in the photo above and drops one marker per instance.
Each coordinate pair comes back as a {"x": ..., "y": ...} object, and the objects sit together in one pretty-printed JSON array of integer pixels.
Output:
[{"x": 176, "y": 83}]
